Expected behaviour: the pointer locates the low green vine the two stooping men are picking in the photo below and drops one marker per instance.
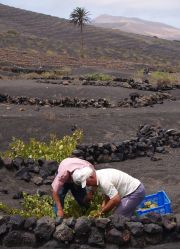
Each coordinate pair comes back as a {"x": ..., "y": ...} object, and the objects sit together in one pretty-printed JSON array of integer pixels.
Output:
[{"x": 39, "y": 206}]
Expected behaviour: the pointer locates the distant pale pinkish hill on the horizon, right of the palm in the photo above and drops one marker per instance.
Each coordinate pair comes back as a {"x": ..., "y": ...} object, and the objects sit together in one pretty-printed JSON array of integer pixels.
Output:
[{"x": 138, "y": 26}]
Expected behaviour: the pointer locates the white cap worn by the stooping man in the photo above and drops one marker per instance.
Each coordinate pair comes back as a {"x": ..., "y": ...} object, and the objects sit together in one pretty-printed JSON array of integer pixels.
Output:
[{"x": 79, "y": 176}]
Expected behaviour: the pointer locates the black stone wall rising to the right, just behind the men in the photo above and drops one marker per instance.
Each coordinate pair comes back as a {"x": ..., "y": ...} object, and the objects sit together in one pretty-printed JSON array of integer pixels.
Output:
[{"x": 148, "y": 142}]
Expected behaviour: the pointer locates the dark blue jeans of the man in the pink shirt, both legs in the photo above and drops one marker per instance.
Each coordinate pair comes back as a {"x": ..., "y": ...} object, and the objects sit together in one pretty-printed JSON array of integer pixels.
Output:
[{"x": 77, "y": 191}]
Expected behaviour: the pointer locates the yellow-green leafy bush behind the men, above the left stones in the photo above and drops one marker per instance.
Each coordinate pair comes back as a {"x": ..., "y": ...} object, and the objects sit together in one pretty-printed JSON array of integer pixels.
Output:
[{"x": 55, "y": 149}]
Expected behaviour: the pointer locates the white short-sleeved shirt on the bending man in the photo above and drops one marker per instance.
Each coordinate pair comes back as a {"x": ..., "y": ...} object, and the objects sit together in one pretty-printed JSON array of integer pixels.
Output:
[{"x": 113, "y": 182}]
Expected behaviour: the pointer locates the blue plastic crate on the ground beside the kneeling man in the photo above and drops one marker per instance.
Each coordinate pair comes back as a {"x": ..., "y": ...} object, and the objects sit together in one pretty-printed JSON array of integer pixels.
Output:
[{"x": 162, "y": 201}]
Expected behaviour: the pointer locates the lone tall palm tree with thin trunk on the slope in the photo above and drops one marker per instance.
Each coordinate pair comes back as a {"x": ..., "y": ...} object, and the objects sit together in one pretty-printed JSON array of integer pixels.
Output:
[{"x": 79, "y": 16}]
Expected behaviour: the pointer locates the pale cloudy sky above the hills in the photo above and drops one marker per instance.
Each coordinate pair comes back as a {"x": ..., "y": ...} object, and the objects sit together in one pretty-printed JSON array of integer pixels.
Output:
[{"x": 164, "y": 11}]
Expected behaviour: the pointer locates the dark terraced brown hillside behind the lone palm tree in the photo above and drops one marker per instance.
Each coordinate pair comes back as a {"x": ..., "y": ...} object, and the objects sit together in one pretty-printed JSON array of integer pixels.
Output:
[{"x": 31, "y": 38}]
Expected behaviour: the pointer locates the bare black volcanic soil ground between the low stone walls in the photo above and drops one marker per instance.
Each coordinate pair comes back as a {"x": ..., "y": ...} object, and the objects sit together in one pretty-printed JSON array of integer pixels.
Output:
[{"x": 100, "y": 124}]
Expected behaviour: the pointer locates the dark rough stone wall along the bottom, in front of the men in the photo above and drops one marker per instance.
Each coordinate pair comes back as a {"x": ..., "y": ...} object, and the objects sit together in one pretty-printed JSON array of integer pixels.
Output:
[{"x": 113, "y": 232}]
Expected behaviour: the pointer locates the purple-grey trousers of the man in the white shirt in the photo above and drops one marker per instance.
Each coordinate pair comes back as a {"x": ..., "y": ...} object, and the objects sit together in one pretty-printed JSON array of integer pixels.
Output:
[{"x": 128, "y": 204}]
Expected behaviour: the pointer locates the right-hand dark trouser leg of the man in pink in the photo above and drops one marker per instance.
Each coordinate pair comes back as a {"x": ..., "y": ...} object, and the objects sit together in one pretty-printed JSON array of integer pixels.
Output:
[{"x": 79, "y": 194}]
